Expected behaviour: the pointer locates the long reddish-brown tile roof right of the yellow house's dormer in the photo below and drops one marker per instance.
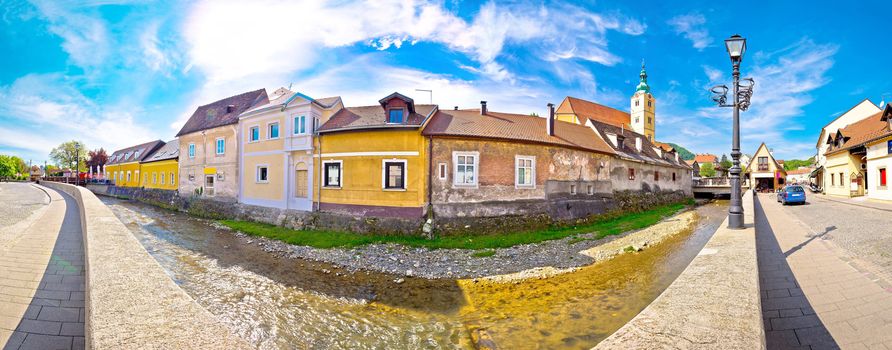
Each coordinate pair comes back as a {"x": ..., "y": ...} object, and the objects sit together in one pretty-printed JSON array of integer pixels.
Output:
[{"x": 514, "y": 127}]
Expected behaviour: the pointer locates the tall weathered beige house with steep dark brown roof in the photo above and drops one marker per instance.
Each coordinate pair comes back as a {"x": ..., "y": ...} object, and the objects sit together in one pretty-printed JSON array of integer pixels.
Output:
[{"x": 209, "y": 151}]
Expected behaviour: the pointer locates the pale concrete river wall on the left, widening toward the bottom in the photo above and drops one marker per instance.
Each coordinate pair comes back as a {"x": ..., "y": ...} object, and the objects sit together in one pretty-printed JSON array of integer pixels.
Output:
[{"x": 131, "y": 302}]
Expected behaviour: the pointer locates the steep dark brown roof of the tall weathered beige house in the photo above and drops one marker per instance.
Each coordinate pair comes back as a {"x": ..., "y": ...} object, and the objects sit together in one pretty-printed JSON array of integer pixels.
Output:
[{"x": 217, "y": 113}]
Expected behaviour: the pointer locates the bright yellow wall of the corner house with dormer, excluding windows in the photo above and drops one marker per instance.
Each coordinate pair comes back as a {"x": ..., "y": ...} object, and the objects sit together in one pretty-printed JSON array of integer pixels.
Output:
[{"x": 362, "y": 154}]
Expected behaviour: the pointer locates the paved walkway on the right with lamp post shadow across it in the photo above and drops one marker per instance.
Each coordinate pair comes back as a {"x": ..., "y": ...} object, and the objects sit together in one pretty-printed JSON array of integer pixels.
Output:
[{"x": 812, "y": 298}]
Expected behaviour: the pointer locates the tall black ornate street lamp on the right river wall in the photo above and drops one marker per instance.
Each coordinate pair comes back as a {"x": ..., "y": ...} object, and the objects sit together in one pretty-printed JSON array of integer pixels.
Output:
[{"x": 742, "y": 92}]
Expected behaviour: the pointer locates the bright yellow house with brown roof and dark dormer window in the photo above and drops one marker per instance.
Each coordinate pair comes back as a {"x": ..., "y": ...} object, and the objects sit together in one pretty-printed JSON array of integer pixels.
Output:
[{"x": 374, "y": 159}]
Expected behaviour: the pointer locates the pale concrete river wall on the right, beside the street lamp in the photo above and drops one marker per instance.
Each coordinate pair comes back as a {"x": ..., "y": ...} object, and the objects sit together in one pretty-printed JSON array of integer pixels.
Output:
[{"x": 713, "y": 304}]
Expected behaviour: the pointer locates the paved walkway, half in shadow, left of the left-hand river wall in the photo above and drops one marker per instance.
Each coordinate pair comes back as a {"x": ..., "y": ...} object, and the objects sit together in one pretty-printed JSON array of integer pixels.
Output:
[{"x": 42, "y": 289}]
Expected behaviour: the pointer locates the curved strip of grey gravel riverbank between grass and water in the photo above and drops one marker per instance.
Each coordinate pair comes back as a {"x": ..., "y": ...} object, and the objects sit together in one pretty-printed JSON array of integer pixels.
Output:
[{"x": 506, "y": 264}]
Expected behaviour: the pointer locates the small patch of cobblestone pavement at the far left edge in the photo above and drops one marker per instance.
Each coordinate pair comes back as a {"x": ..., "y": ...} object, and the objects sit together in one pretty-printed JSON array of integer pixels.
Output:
[{"x": 18, "y": 201}]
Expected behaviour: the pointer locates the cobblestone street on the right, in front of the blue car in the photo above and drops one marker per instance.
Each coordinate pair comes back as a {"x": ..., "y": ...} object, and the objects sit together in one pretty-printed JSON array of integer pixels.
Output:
[{"x": 863, "y": 233}]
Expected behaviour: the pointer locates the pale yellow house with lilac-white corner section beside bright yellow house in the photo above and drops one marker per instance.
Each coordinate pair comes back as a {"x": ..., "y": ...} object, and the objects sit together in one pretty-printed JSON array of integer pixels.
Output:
[{"x": 277, "y": 149}]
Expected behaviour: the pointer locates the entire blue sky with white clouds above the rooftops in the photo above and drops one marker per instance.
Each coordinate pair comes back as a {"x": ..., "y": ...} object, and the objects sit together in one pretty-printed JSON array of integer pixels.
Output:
[{"x": 113, "y": 74}]
